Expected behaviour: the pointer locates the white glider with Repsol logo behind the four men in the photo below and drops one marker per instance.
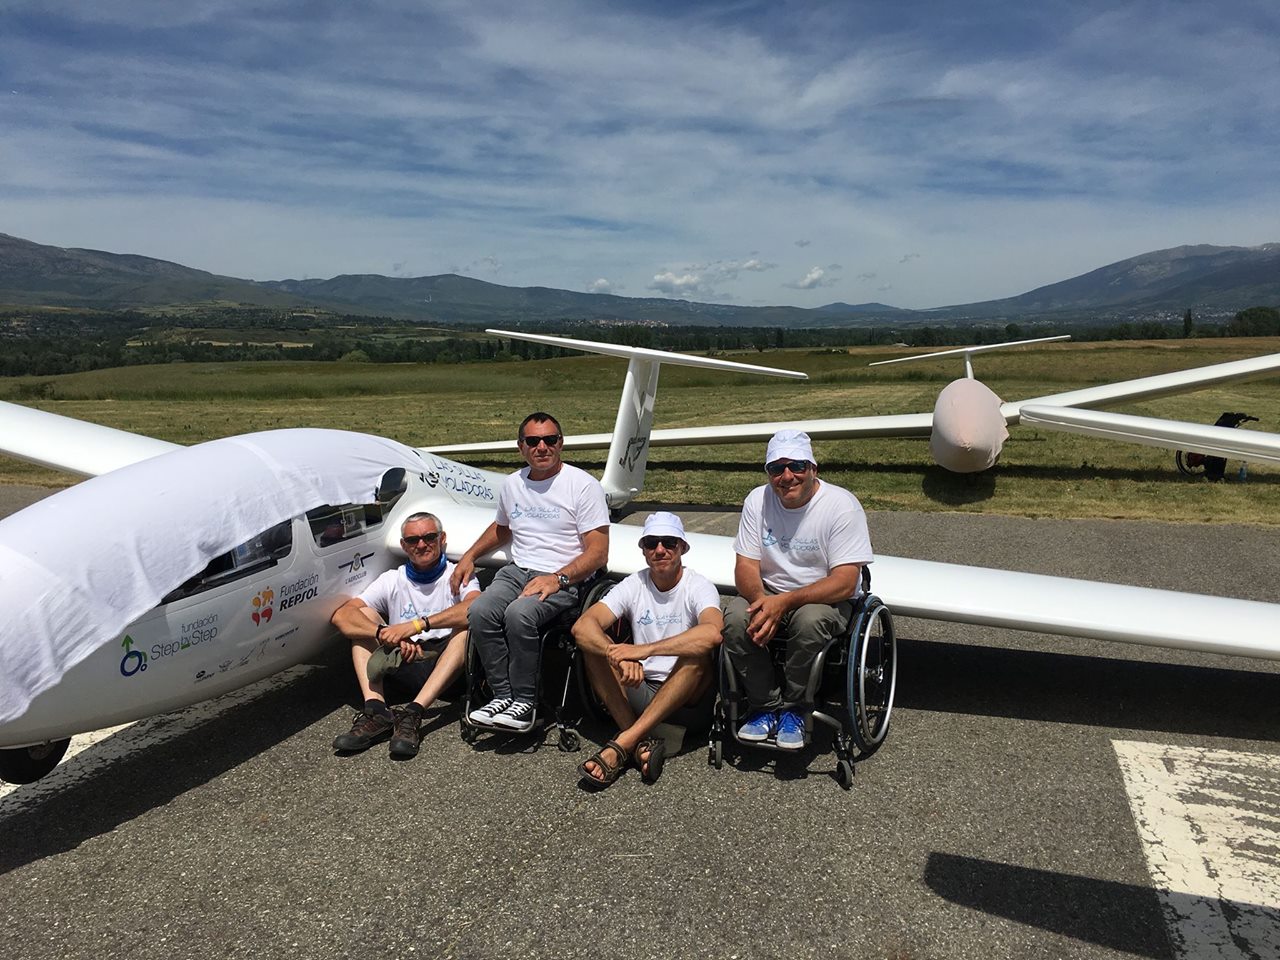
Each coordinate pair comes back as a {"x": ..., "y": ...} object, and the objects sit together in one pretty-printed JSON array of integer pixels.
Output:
[{"x": 179, "y": 574}]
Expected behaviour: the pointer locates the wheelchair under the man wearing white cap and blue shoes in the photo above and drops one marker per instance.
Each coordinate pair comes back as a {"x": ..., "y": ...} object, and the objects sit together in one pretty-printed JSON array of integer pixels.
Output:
[{"x": 852, "y": 689}]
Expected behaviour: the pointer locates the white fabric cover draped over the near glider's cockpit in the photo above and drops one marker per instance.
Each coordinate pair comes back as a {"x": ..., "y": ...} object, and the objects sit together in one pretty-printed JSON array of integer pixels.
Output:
[{"x": 84, "y": 564}]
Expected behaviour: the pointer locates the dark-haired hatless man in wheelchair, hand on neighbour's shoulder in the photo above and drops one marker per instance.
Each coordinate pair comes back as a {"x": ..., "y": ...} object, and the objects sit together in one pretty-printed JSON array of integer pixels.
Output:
[{"x": 555, "y": 522}]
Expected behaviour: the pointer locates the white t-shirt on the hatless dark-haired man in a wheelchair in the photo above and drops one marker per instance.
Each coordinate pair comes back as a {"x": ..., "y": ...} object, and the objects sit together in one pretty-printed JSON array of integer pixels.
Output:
[{"x": 548, "y": 518}]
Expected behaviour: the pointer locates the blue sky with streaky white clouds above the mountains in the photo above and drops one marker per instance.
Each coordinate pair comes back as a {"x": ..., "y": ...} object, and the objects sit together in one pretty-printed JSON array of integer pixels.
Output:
[{"x": 917, "y": 154}]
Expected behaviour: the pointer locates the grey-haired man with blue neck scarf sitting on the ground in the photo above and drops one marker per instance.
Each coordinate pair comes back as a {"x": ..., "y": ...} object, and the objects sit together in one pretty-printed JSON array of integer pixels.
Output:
[{"x": 396, "y": 628}]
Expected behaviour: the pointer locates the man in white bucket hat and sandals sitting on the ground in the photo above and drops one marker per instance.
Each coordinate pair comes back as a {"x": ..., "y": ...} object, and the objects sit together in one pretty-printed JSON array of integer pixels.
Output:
[{"x": 666, "y": 670}]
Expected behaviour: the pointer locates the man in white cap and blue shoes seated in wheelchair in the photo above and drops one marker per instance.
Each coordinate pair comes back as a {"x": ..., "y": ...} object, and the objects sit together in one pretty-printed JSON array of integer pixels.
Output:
[{"x": 802, "y": 545}]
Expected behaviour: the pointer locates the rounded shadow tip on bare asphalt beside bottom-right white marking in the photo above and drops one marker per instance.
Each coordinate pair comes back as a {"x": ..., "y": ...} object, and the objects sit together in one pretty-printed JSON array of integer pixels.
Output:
[{"x": 1116, "y": 916}]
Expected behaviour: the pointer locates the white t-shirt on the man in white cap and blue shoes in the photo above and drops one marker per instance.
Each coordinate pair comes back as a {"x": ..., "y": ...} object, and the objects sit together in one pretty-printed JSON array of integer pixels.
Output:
[{"x": 801, "y": 547}]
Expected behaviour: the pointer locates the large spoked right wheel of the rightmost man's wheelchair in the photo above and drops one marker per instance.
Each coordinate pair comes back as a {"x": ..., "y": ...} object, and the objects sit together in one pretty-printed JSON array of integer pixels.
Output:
[{"x": 872, "y": 675}]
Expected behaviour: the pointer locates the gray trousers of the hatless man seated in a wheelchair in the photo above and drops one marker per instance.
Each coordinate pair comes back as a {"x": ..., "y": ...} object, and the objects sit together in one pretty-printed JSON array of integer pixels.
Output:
[{"x": 508, "y": 630}]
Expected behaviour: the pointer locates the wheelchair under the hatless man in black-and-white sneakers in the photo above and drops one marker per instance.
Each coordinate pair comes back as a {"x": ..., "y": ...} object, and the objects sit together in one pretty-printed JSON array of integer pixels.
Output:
[{"x": 557, "y": 662}]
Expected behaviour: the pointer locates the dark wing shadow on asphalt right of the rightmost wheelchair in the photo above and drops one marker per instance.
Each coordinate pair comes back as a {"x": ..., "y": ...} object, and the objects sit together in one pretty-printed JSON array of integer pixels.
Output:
[{"x": 1094, "y": 692}]
